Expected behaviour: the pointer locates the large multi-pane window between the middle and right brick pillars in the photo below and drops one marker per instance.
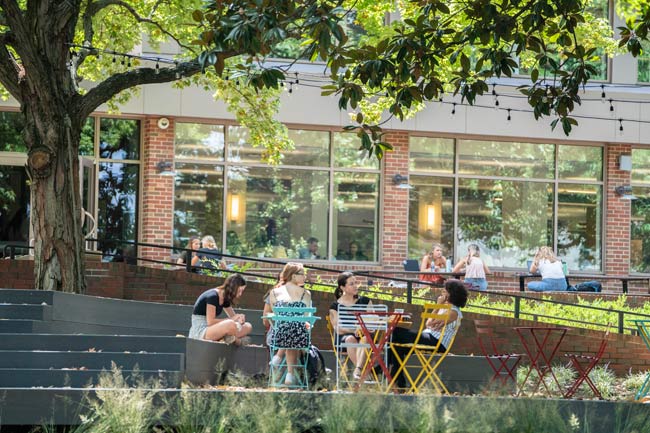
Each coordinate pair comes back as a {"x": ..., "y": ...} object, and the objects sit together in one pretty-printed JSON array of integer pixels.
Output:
[{"x": 511, "y": 198}]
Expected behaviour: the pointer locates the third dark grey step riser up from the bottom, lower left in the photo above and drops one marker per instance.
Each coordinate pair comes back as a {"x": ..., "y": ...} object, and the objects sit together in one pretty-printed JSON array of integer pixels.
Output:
[{"x": 105, "y": 343}]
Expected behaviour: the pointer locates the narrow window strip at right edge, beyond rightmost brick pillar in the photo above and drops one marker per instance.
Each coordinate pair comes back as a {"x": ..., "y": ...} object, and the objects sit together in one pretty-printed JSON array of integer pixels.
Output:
[{"x": 640, "y": 212}]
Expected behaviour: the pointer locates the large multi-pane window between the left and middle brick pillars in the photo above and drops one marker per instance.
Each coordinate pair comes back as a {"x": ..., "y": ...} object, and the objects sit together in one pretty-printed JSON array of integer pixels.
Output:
[{"x": 325, "y": 189}]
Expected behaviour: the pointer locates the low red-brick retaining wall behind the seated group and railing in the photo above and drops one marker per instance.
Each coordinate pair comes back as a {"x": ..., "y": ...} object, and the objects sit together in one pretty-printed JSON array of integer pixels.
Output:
[{"x": 119, "y": 280}]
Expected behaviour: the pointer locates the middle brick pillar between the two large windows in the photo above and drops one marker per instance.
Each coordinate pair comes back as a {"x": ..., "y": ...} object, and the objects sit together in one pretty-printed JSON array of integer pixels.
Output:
[{"x": 394, "y": 247}]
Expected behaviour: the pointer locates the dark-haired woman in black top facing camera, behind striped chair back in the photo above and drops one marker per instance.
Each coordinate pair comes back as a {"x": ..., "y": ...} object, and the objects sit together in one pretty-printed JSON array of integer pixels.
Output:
[{"x": 347, "y": 295}]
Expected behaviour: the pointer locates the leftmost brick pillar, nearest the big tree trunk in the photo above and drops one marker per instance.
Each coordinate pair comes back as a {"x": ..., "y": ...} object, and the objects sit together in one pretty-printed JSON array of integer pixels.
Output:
[{"x": 157, "y": 191}]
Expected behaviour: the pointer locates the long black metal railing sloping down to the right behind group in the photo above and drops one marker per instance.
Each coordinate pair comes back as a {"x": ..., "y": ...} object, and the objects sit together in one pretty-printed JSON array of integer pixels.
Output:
[{"x": 394, "y": 282}]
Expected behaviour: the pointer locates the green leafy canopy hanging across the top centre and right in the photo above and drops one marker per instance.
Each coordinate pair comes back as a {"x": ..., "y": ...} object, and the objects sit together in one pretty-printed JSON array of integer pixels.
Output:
[{"x": 437, "y": 47}]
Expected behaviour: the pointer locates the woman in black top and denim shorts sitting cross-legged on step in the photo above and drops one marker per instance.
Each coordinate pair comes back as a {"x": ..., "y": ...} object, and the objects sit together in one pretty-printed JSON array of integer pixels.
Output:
[{"x": 206, "y": 325}]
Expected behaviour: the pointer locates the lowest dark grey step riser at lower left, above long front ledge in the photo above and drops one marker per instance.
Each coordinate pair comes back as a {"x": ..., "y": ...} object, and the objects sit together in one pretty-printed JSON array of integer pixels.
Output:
[{"x": 35, "y": 378}]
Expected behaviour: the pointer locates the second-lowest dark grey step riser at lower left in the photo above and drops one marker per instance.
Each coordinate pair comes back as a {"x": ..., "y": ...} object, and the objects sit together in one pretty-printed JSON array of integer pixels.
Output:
[{"x": 27, "y": 359}]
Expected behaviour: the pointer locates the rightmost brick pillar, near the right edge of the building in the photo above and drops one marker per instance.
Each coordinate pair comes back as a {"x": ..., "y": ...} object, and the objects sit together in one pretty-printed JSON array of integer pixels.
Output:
[{"x": 617, "y": 221}]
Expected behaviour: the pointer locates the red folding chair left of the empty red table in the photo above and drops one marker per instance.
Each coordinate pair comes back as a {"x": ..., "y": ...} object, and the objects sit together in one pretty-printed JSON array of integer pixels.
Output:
[{"x": 499, "y": 361}]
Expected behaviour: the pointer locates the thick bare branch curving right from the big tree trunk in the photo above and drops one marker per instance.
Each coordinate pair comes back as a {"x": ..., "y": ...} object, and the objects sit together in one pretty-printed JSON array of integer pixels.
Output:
[{"x": 119, "y": 82}]
